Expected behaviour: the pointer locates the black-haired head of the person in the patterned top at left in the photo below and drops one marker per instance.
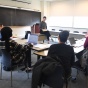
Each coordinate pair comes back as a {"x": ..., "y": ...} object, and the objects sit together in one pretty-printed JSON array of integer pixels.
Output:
[{"x": 6, "y": 33}]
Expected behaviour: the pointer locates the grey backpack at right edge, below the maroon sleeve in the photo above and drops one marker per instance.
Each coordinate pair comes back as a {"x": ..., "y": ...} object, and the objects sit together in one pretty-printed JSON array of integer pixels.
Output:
[{"x": 84, "y": 59}]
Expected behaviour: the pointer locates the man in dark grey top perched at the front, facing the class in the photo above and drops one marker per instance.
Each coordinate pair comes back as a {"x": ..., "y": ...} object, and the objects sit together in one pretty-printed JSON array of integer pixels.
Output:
[{"x": 43, "y": 28}]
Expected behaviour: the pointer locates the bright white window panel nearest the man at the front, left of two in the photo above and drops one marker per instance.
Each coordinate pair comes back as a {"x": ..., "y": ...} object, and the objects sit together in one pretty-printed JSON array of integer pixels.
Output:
[{"x": 63, "y": 21}]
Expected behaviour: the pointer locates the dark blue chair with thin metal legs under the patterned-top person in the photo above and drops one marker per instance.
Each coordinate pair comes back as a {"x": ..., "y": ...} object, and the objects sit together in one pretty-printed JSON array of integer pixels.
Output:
[{"x": 7, "y": 63}]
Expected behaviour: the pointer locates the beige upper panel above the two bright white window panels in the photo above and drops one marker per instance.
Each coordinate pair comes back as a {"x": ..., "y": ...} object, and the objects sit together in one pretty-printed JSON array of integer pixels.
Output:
[{"x": 69, "y": 8}]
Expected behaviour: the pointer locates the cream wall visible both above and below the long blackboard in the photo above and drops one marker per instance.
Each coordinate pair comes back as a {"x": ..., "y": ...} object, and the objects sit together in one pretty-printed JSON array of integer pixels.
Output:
[{"x": 35, "y": 6}]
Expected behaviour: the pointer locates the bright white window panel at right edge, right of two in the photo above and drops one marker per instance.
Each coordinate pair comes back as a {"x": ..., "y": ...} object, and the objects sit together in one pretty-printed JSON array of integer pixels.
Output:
[{"x": 80, "y": 22}]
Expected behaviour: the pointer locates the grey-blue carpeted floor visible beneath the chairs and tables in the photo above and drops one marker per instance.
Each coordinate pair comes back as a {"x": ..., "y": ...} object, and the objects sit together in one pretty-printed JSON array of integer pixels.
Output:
[{"x": 20, "y": 79}]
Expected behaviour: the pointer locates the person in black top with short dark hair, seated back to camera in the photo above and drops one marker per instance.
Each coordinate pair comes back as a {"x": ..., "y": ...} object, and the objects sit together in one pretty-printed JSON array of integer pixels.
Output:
[{"x": 63, "y": 51}]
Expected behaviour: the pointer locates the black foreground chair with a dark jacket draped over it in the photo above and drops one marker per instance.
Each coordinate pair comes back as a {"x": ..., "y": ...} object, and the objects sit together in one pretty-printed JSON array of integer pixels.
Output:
[{"x": 56, "y": 80}]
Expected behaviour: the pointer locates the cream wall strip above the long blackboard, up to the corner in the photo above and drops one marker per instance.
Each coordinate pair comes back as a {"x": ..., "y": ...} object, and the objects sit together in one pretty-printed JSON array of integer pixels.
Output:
[{"x": 35, "y": 4}]
